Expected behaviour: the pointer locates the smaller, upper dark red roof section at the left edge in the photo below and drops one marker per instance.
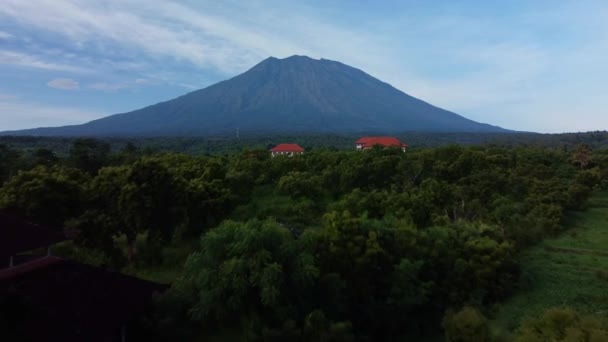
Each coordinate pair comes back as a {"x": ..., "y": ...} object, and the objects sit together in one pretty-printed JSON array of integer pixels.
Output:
[{"x": 18, "y": 235}]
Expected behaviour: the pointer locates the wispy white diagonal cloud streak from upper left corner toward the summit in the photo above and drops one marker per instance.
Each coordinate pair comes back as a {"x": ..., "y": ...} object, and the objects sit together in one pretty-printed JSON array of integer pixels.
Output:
[{"x": 84, "y": 23}]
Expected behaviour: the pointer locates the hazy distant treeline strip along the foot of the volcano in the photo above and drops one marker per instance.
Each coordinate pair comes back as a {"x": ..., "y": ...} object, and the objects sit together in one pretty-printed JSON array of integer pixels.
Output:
[{"x": 231, "y": 144}]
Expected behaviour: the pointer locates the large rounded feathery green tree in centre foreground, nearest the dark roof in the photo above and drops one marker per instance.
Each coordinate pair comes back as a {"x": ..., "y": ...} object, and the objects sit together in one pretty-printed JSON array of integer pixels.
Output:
[{"x": 249, "y": 269}]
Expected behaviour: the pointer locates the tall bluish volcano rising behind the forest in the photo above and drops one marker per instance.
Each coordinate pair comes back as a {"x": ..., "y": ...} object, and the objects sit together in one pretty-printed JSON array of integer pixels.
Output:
[{"x": 295, "y": 94}]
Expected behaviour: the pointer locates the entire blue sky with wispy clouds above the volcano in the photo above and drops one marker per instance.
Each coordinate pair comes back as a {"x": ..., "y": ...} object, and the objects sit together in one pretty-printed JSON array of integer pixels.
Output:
[{"x": 525, "y": 65}]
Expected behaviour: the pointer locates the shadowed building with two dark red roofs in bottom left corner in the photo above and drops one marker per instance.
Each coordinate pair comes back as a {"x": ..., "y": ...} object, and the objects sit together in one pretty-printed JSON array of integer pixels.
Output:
[{"x": 48, "y": 298}]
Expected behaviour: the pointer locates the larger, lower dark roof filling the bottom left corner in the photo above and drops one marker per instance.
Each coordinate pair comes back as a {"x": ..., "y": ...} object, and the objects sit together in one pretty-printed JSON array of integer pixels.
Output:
[{"x": 67, "y": 301}]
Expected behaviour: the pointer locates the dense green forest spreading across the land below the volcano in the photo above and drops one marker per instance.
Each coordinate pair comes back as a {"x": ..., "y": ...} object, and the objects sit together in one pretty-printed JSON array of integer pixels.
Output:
[{"x": 334, "y": 245}]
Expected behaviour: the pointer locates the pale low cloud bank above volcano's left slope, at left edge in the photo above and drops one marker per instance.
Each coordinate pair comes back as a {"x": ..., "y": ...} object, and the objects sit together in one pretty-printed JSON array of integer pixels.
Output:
[{"x": 20, "y": 115}]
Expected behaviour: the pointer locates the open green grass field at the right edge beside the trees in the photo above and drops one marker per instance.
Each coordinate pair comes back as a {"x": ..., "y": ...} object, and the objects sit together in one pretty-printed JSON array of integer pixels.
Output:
[{"x": 569, "y": 270}]
